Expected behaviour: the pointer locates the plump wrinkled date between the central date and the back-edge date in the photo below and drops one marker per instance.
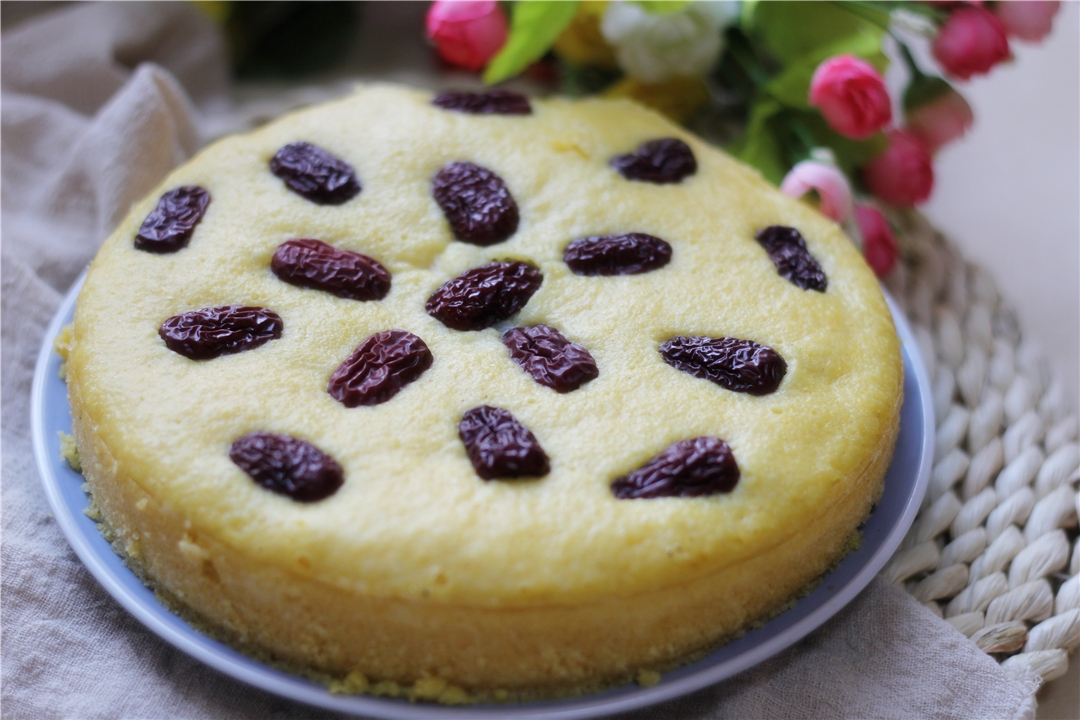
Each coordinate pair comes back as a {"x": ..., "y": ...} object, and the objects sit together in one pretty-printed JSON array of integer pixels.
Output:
[{"x": 477, "y": 203}]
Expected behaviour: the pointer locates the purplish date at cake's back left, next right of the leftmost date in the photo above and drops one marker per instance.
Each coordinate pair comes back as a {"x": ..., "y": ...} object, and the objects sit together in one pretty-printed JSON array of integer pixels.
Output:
[{"x": 313, "y": 173}]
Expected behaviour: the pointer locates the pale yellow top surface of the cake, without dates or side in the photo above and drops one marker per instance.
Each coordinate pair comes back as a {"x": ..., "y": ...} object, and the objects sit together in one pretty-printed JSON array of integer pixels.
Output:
[{"x": 413, "y": 517}]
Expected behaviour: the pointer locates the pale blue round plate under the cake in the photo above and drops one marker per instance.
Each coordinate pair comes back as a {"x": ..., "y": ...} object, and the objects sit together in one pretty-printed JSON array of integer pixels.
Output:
[{"x": 906, "y": 484}]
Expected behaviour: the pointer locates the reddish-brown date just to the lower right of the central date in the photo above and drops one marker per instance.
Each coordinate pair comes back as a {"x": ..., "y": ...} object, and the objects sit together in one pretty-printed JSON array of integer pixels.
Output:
[{"x": 553, "y": 361}]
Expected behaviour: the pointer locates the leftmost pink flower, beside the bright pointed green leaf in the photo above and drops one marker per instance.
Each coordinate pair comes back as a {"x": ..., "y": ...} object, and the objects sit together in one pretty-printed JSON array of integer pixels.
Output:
[{"x": 467, "y": 34}]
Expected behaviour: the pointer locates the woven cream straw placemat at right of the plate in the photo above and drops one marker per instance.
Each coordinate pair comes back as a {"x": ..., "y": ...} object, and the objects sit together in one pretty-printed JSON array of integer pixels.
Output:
[{"x": 994, "y": 550}]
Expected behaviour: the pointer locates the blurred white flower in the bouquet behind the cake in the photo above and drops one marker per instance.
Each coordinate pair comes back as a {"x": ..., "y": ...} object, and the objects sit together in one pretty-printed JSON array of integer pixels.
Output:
[{"x": 654, "y": 48}]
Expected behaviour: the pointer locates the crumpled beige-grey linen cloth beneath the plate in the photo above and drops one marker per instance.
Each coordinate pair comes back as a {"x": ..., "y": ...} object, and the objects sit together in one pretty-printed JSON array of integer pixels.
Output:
[{"x": 100, "y": 102}]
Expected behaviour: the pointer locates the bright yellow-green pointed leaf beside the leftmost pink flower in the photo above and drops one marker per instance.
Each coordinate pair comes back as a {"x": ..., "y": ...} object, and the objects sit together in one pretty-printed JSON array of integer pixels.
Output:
[{"x": 533, "y": 31}]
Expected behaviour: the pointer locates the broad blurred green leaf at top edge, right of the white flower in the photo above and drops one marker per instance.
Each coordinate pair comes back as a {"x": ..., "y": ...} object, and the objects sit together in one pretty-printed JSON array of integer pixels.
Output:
[{"x": 794, "y": 30}]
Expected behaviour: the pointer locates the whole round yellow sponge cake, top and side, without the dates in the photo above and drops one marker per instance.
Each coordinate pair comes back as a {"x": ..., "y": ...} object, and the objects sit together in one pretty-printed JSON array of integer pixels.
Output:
[{"x": 416, "y": 568}]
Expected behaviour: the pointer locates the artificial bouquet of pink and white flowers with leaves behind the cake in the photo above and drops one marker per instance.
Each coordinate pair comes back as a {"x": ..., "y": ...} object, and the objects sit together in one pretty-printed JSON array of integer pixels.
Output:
[{"x": 794, "y": 89}]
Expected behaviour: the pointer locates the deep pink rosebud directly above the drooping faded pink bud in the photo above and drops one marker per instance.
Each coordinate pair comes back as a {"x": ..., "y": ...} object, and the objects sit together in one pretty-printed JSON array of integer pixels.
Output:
[{"x": 970, "y": 43}]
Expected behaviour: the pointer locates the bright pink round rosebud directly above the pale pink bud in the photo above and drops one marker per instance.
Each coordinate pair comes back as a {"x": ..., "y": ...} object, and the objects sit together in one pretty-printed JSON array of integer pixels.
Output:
[{"x": 852, "y": 96}]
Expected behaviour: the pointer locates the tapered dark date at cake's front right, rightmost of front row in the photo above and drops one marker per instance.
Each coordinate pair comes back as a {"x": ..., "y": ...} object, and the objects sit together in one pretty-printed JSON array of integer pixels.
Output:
[{"x": 687, "y": 469}]
